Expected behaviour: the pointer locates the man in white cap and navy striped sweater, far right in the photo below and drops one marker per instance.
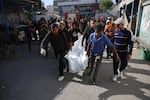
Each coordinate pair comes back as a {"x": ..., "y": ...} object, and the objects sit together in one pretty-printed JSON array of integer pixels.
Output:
[{"x": 123, "y": 43}]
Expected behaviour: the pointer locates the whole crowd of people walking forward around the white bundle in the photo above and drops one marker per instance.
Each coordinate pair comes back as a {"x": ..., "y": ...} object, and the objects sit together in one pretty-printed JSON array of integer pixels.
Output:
[{"x": 62, "y": 35}]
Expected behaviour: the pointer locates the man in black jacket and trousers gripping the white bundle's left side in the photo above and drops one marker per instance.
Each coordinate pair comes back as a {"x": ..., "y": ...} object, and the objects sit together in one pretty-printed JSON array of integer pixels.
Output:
[{"x": 58, "y": 42}]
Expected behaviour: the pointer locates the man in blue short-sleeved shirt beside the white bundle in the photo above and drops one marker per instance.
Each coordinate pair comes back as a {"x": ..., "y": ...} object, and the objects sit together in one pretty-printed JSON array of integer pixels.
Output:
[{"x": 96, "y": 45}]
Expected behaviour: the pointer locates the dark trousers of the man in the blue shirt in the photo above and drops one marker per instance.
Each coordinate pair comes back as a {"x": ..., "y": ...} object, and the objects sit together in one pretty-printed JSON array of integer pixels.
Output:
[{"x": 93, "y": 66}]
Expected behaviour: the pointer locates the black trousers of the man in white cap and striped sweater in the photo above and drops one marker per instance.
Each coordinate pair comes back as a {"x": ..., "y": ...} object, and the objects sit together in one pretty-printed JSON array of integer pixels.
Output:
[{"x": 120, "y": 64}]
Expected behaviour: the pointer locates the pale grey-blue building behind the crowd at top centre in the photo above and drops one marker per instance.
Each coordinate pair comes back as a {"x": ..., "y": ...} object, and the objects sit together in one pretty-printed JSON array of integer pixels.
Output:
[{"x": 82, "y": 7}]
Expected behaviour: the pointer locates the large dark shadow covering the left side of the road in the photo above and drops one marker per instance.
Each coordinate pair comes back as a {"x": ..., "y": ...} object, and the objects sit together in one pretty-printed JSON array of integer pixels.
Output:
[{"x": 29, "y": 76}]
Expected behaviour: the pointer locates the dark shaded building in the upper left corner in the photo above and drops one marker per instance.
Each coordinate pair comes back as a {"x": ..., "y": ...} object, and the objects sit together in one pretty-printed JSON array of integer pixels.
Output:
[{"x": 16, "y": 11}]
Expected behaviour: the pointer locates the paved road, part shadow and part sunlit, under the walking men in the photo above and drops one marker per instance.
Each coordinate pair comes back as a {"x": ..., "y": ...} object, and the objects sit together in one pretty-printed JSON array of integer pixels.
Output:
[{"x": 28, "y": 76}]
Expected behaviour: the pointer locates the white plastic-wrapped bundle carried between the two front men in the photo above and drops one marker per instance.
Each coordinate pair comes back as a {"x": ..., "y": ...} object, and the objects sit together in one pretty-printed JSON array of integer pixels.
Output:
[{"x": 77, "y": 58}]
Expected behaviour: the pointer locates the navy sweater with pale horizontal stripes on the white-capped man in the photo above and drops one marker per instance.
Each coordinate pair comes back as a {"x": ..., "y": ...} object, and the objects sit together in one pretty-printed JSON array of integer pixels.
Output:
[{"x": 122, "y": 40}]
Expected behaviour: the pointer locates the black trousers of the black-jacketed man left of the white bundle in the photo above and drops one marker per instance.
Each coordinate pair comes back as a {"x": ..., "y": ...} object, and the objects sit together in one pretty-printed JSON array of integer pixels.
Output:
[{"x": 62, "y": 62}]
